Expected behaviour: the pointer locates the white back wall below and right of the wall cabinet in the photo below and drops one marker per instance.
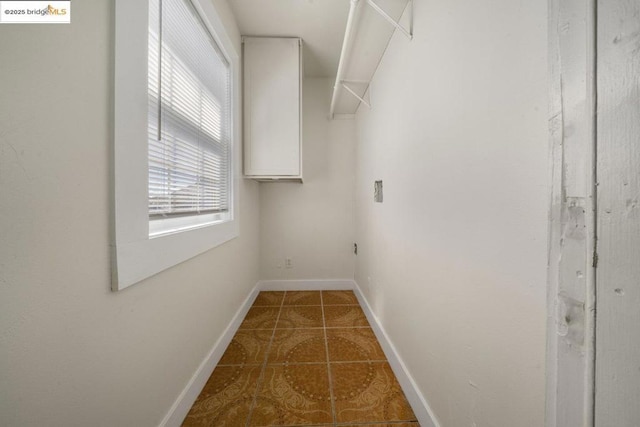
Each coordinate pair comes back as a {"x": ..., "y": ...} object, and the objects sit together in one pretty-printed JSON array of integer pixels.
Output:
[{"x": 312, "y": 223}]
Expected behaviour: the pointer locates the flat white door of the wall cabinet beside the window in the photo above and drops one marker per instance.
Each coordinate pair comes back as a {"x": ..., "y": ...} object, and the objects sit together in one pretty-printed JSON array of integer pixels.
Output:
[{"x": 272, "y": 106}]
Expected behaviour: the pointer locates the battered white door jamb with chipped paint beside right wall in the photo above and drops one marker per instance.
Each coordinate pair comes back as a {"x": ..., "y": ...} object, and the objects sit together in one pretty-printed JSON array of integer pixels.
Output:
[{"x": 572, "y": 219}]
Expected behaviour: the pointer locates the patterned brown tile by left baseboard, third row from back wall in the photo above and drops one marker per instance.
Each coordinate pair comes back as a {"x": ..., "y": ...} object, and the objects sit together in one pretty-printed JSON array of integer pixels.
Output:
[{"x": 247, "y": 347}]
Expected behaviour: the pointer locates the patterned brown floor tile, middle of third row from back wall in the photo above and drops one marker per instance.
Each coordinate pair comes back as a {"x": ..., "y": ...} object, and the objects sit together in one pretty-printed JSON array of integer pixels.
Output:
[{"x": 298, "y": 346}]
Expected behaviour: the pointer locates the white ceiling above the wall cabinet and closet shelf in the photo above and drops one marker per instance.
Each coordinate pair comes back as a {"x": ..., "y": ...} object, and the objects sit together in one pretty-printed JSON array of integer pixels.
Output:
[{"x": 320, "y": 23}]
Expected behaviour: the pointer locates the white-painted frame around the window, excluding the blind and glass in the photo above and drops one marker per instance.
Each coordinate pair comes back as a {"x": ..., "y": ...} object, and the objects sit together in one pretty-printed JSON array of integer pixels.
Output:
[{"x": 136, "y": 256}]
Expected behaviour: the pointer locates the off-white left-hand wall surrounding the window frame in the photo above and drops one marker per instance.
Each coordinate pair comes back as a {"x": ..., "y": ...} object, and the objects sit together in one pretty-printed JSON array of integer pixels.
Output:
[{"x": 72, "y": 353}]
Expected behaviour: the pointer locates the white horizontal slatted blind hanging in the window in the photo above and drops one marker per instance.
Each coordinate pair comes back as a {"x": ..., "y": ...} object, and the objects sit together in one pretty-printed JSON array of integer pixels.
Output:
[{"x": 189, "y": 117}]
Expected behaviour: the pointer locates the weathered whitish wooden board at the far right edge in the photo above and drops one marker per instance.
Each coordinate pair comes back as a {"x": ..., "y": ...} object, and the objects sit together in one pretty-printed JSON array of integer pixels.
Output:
[{"x": 617, "y": 374}]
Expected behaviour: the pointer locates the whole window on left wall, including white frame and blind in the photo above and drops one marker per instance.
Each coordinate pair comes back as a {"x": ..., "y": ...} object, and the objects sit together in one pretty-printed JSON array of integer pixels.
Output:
[{"x": 175, "y": 158}]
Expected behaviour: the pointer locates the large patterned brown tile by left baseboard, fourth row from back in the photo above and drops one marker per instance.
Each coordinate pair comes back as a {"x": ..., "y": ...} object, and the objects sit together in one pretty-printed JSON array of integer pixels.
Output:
[{"x": 226, "y": 398}]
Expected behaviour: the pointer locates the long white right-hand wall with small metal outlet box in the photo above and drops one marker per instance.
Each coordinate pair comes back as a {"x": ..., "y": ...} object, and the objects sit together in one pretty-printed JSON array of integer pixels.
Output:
[{"x": 454, "y": 260}]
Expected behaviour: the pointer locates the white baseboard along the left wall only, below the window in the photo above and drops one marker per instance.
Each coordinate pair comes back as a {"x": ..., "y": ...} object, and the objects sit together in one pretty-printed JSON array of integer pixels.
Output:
[{"x": 185, "y": 400}]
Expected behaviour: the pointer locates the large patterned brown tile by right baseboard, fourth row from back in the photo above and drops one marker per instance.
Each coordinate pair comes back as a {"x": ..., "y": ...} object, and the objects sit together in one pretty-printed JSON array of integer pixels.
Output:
[{"x": 368, "y": 393}]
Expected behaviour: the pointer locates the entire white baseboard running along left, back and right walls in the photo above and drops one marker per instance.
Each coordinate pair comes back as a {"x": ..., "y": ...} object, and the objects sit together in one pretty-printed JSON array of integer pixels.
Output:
[{"x": 183, "y": 403}]
